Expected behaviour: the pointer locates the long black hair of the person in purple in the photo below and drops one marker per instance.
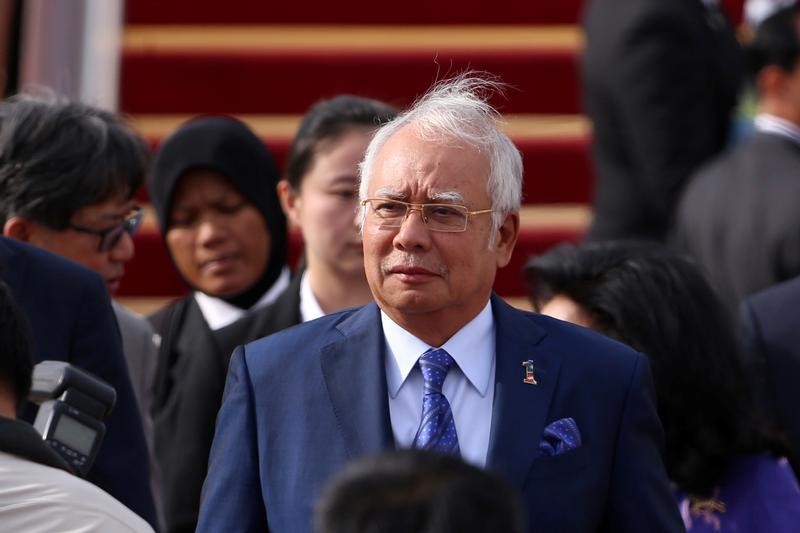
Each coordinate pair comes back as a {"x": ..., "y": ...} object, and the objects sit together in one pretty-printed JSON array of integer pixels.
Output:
[{"x": 660, "y": 303}]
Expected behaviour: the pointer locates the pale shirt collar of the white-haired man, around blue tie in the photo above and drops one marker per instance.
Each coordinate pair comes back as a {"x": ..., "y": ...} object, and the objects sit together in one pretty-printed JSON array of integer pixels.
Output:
[{"x": 472, "y": 347}]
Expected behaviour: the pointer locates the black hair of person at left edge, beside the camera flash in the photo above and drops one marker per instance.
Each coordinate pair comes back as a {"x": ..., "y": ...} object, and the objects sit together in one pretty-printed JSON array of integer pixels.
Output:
[{"x": 16, "y": 359}]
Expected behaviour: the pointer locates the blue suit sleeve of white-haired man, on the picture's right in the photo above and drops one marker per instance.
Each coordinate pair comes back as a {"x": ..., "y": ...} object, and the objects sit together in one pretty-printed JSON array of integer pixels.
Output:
[{"x": 640, "y": 498}]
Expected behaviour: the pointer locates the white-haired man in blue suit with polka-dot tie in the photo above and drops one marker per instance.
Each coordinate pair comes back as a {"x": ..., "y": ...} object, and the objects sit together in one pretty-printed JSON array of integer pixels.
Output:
[{"x": 439, "y": 362}]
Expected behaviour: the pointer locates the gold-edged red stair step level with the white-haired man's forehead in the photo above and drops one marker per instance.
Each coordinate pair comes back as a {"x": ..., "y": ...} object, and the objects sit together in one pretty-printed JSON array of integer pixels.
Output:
[{"x": 554, "y": 149}]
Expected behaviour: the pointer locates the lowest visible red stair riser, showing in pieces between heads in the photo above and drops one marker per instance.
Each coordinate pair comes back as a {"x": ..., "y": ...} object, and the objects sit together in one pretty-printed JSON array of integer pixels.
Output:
[{"x": 152, "y": 274}]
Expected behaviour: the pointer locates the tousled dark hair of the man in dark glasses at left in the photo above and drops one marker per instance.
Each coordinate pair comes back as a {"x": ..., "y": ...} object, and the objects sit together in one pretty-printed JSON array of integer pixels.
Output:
[{"x": 57, "y": 157}]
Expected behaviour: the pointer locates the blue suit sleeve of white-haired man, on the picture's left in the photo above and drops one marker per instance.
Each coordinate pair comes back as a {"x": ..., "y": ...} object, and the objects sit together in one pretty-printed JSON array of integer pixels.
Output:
[{"x": 231, "y": 498}]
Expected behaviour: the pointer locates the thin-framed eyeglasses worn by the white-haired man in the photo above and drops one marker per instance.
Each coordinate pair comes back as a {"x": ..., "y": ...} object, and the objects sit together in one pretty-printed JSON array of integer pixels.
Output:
[{"x": 438, "y": 217}]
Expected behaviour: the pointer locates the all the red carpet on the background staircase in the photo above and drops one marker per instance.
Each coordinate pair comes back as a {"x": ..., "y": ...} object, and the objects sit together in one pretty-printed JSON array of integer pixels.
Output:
[{"x": 212, "y": 79}]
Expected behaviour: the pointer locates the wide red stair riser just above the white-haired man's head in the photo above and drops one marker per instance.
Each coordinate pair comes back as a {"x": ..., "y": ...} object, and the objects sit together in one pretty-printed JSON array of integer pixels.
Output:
[{"x": 542, "y": 82}]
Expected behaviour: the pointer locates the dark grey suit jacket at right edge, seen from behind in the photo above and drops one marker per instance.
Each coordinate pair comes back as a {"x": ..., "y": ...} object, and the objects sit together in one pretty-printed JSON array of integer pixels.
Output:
[{"x": 739, "y": 217}]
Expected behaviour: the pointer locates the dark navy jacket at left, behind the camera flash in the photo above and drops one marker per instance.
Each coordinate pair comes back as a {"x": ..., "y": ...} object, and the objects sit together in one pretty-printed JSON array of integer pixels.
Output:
[{"x": 71, "y": 320}]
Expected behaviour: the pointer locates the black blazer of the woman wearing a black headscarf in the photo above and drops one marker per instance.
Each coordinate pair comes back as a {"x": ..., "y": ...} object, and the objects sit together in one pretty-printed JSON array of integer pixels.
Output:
[{"x": 190, "y": 379}]
